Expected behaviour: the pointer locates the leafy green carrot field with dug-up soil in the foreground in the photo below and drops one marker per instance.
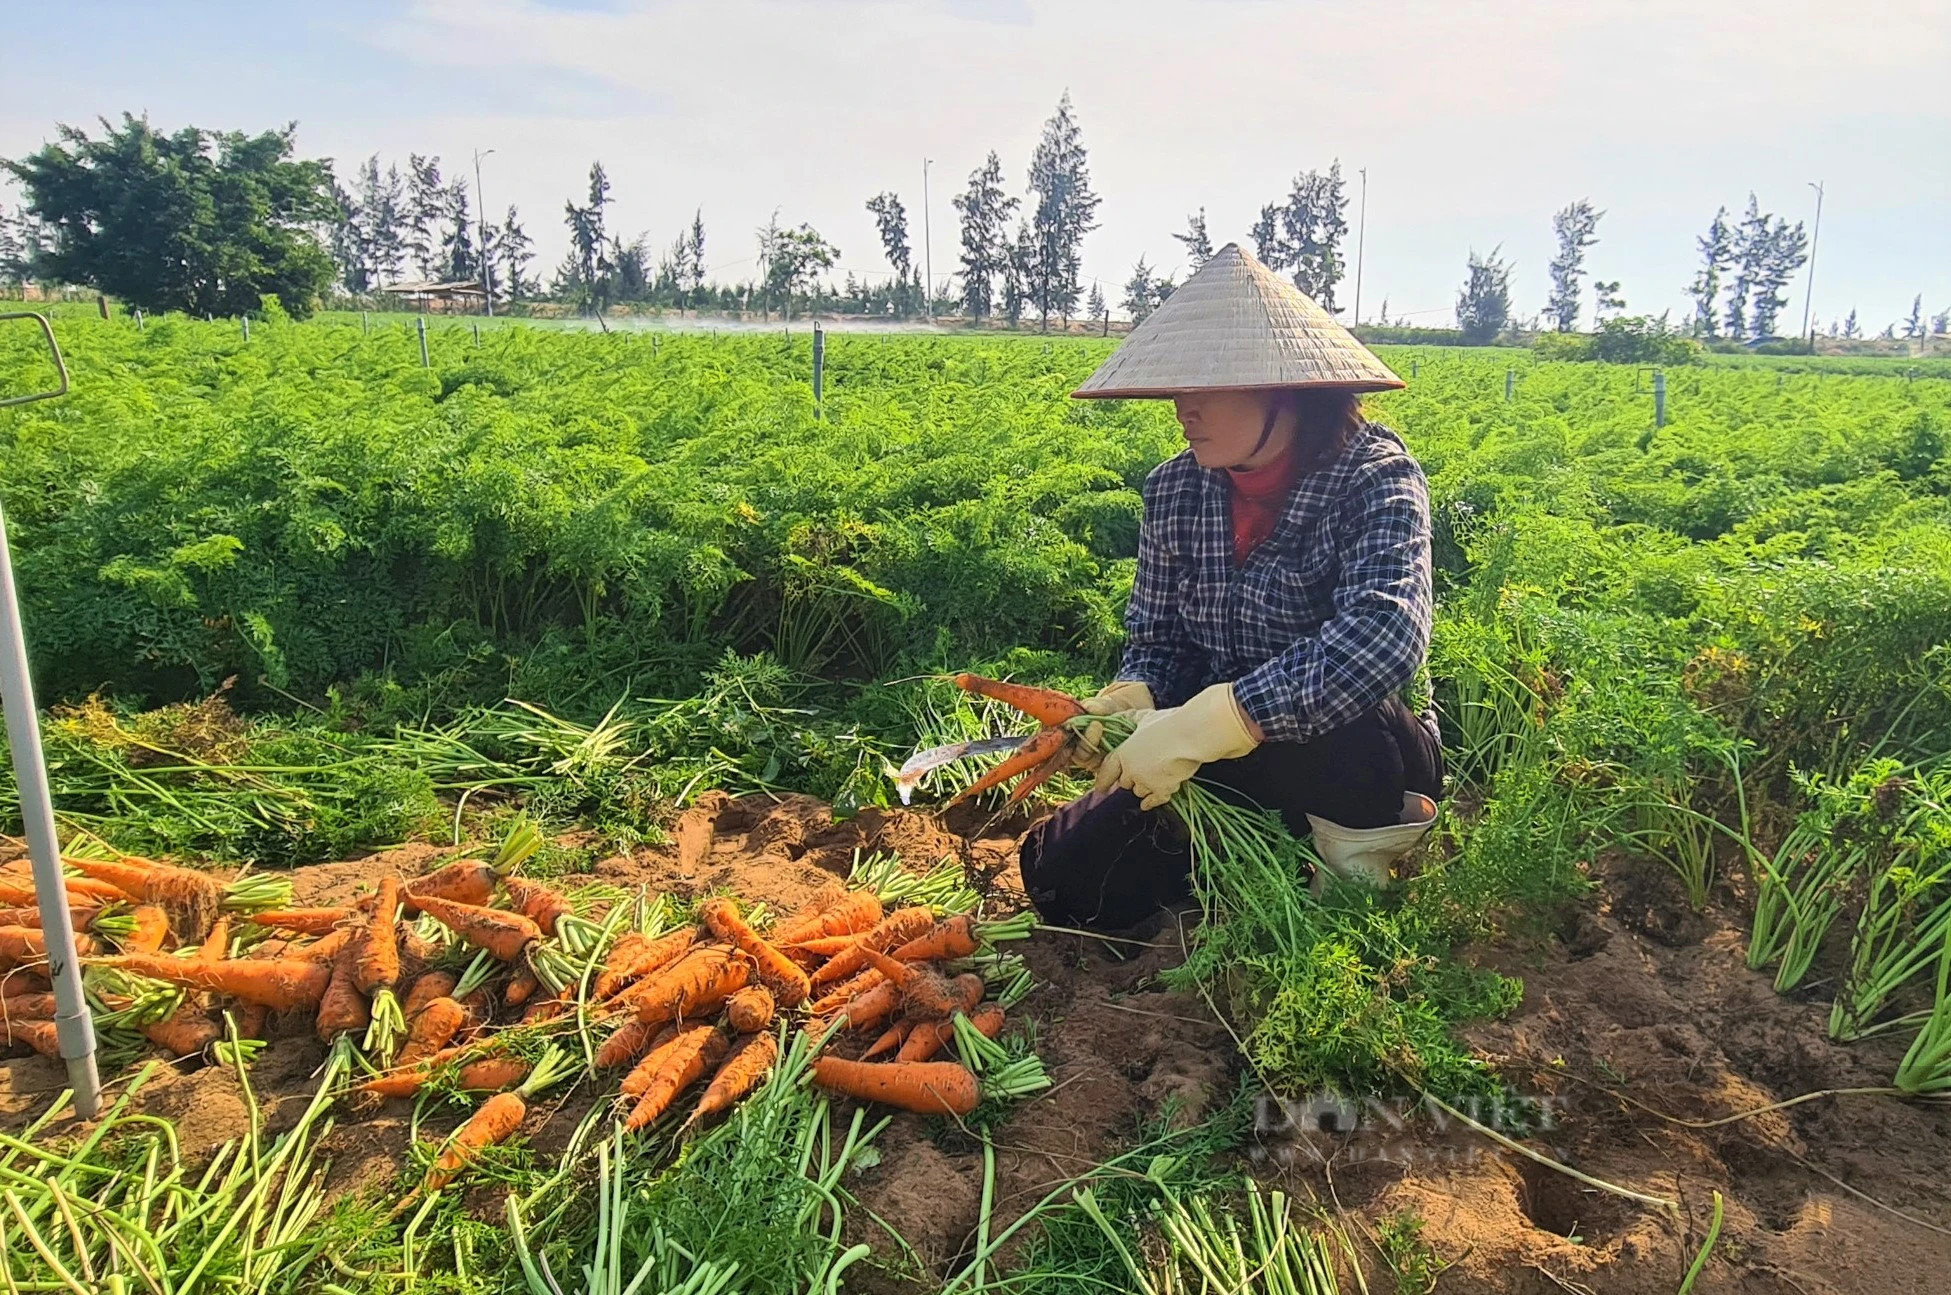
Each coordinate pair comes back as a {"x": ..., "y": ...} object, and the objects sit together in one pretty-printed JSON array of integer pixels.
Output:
[{"x": 627, "y": 619}]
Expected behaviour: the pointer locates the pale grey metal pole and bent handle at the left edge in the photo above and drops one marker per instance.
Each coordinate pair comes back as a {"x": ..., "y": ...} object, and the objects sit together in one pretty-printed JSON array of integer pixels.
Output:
[{"x": 73, "y": 1023}]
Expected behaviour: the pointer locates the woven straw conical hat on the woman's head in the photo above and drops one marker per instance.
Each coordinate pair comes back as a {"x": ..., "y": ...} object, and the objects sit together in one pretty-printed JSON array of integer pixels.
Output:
[{"x": 1236, "y": 327}]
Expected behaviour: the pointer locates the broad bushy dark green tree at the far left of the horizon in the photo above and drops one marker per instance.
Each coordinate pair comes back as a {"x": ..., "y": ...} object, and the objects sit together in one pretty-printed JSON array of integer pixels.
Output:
[{"x": 204, "y": 221}]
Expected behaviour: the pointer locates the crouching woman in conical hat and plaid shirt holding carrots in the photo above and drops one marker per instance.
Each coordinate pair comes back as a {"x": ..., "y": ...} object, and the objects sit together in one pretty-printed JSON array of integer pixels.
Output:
[{"x": 1281, "y": 608}]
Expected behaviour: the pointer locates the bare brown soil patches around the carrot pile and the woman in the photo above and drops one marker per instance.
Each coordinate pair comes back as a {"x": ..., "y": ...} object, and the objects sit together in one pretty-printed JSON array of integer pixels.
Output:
[{"x": 1638, "y": 1017}]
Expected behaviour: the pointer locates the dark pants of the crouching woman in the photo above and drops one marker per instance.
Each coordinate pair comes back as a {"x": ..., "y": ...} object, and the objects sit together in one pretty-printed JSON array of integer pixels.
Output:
[{"x": 1101, "y": 861}]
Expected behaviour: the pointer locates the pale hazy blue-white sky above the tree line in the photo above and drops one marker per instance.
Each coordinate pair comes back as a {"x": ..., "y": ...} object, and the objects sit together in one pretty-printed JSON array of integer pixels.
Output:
[{"x": 1474, "y": 120}]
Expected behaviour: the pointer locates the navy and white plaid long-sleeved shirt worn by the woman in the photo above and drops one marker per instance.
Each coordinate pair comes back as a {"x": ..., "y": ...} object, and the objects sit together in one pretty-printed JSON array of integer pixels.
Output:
[{"x": 1322, "y": 623}]
